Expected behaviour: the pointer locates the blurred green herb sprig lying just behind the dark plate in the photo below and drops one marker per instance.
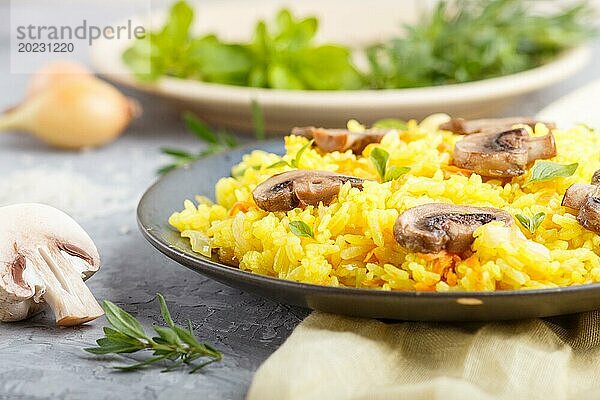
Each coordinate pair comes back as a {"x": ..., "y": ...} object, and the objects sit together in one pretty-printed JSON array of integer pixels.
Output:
[{"x": 216, "y": 141}]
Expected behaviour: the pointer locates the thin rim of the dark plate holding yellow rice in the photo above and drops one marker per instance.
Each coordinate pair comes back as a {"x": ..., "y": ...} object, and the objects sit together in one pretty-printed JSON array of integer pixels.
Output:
[{"x": 171, "y": 252}]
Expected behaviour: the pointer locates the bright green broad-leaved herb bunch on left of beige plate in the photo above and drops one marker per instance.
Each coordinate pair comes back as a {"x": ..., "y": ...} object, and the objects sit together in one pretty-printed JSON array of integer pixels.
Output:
[{"x": 281, "y": 55}]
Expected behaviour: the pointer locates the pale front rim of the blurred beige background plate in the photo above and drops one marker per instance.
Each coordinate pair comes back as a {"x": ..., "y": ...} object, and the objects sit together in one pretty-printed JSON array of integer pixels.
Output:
[{"x": 559, "y": 68}]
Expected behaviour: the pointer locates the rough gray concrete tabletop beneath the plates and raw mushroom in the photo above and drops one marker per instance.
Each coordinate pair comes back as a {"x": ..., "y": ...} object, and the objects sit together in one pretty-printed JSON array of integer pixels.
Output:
[{"x": 41, "y": 361}]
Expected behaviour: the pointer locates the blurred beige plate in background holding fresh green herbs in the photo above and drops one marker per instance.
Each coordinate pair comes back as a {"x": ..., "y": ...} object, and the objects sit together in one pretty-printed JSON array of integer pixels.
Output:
[{"x": 345, "y": 21}]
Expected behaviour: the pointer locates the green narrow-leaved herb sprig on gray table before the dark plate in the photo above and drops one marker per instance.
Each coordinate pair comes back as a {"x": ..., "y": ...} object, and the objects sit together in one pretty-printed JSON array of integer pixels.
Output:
[{"x": 174, "y": 345}]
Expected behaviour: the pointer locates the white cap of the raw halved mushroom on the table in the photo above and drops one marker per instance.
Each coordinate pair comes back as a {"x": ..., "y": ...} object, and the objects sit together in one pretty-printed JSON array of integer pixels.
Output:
[{"x": 36, "y": 234}]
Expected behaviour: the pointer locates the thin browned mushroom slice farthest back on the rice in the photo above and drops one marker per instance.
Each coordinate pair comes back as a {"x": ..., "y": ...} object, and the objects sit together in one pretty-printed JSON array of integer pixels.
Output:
[{"x": 492, "y": 125}]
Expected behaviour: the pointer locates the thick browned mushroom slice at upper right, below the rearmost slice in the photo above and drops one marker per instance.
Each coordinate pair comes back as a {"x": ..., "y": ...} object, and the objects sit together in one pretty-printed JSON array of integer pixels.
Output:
[{"x": 504, "y": 154}]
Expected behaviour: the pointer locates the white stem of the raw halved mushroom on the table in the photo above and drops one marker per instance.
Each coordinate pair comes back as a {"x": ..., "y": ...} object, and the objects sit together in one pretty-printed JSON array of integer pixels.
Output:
[{"x": 66, "y": 293}]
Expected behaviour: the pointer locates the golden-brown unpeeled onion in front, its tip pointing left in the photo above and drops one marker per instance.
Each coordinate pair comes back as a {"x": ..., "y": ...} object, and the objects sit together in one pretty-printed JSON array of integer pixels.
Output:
[{"x": 79, "y": 113}]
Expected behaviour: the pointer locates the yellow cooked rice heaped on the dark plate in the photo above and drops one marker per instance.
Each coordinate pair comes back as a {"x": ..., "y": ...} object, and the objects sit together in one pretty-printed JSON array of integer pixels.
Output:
[{"x": 353, "y": 243}]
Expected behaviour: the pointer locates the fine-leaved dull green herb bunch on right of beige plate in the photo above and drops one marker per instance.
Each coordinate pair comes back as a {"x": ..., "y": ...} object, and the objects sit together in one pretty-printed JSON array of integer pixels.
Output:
[{"x": 467, "y": 40}]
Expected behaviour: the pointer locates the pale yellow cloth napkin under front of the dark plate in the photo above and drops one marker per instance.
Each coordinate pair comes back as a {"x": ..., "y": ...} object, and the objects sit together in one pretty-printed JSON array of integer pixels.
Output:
[{"x": 334, "y": 357}]
